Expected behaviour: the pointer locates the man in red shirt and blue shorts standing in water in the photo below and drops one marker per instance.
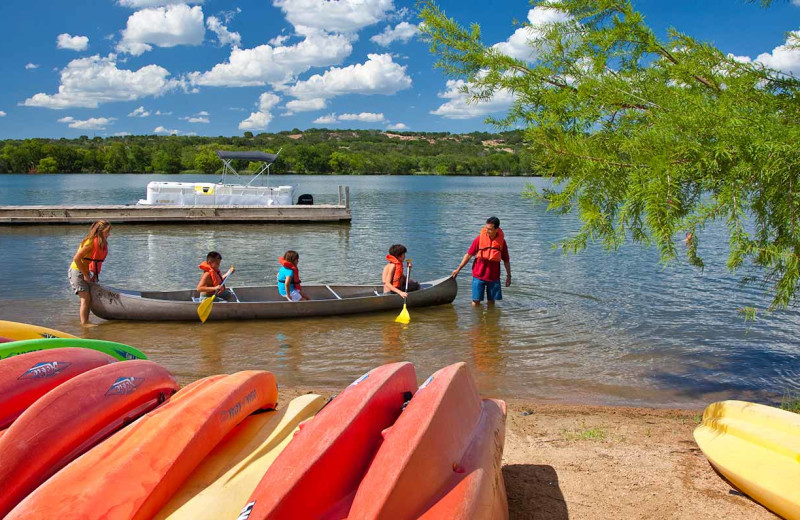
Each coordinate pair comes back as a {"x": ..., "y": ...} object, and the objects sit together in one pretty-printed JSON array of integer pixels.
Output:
[{"x": 489, "y": 249}]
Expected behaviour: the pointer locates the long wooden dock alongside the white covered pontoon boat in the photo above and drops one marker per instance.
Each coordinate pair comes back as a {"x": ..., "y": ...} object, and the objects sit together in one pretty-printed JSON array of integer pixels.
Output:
[{"x": 167, "y": 214}]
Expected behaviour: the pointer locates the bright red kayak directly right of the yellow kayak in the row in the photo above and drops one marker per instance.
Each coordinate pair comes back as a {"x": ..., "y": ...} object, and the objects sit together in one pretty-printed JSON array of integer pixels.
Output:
[{"x": 317, "y": 473}]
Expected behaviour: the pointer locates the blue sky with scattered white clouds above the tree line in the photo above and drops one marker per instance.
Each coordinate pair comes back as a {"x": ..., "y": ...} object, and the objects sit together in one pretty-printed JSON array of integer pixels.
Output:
[{"x": 213, "y": 67}]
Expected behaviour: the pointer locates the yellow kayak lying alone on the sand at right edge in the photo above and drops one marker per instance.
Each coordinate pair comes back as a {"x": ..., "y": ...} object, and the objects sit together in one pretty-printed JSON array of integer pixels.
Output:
[{"x": 757, "y": 448}]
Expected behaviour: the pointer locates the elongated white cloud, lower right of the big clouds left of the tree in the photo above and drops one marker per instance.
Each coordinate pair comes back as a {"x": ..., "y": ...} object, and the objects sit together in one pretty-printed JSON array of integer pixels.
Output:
[{"x": 378, "y": 75}]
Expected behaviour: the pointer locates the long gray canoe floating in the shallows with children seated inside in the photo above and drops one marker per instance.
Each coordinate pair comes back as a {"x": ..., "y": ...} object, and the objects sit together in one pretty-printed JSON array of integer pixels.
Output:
[{"x": 257, "y": 303}]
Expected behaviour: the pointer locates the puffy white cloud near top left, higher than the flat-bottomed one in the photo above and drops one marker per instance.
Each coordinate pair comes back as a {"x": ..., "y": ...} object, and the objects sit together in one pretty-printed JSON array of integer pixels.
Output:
[{"x": 162, "y": 26}]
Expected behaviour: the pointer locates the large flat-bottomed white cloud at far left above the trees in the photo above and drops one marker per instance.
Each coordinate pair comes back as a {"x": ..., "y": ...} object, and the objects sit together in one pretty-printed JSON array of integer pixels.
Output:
[{"x": 87, "y": 82}]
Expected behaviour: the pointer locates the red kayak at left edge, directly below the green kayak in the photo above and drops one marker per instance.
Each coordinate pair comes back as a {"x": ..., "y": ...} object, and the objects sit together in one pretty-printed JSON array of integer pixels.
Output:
[{"x": 25, "y": 378}]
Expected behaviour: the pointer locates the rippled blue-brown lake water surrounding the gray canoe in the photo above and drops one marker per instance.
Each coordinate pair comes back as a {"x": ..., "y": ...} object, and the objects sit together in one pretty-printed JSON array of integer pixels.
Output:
[{"x": 599, "y": 327}]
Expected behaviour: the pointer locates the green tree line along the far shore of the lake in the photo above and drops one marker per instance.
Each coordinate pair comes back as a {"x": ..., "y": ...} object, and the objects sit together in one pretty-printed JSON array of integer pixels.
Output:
[{"x": 316, "y": 151}]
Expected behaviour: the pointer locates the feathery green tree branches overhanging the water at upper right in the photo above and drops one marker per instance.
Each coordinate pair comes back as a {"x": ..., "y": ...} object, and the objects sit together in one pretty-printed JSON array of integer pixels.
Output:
[{"x": 647, "y": 138}]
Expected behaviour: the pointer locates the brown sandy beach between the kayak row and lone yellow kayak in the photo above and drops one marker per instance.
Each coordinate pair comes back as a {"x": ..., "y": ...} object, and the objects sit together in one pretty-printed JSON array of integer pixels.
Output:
[{"x": 588, "y": 462}]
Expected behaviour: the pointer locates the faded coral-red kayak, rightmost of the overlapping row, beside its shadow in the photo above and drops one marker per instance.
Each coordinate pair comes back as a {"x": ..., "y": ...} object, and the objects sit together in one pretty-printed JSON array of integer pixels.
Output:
[{"x": 445, "y": 435}]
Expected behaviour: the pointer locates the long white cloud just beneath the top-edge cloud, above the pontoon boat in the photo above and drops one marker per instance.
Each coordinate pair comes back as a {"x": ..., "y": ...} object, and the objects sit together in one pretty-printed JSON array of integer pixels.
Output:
[{"x": 267, "y": 64}]
